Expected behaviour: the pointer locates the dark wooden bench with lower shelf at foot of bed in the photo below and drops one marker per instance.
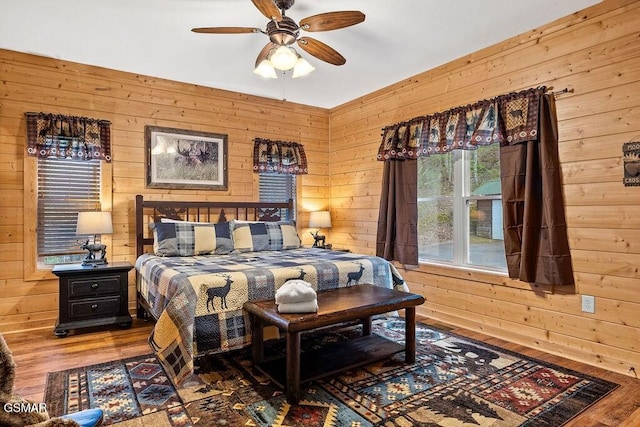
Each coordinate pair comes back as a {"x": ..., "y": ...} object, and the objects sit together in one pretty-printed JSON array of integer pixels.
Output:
[{"x": 336, "y": 306}]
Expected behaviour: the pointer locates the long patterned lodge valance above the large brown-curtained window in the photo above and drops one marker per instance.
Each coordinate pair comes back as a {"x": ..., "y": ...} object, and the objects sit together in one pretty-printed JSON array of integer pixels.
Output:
[{"x": 506, "y": 119}]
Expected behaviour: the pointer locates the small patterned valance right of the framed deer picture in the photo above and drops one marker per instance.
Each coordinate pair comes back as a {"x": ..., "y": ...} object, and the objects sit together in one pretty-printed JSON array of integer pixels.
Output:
[{"x": 279, "y": 157}]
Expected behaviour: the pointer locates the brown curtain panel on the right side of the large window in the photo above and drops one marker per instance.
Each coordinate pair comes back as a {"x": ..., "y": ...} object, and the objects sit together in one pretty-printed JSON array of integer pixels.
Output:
[{"x": 536, "y": 242}]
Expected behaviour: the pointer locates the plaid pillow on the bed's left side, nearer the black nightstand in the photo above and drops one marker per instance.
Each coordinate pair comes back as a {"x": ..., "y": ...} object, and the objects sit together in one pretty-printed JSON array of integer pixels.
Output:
[{"x": 188, "y": 239}]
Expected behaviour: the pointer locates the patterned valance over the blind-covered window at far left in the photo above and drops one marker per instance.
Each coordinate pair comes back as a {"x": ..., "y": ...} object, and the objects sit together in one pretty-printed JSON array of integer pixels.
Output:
[{"x": 68, "y": 137}]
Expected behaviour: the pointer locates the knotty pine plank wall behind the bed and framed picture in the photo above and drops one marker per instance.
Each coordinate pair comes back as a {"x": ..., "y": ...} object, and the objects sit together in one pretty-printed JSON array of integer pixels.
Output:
[{"x": 129, "y": 101}]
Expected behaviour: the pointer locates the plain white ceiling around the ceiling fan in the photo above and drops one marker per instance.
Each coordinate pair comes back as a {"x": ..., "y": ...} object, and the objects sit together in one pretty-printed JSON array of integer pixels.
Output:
[{"x": 398, "y": 39}]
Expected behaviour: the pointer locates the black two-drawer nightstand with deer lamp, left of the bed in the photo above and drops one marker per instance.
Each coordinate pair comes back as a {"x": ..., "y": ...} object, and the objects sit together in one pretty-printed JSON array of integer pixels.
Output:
[{"x": 92, "y": 296}]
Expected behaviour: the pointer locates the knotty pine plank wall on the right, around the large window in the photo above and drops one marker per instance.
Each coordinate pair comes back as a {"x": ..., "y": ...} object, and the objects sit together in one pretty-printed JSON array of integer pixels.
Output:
[{"x": 596, "y": 53}]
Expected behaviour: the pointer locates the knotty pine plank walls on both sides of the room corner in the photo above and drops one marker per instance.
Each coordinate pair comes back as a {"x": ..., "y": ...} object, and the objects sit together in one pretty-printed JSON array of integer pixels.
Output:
[{"x": 595, "y": 52}]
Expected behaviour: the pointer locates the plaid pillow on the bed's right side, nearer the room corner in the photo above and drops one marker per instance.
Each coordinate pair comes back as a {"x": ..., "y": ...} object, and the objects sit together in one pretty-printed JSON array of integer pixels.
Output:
[{"x": 264, "y": 236}]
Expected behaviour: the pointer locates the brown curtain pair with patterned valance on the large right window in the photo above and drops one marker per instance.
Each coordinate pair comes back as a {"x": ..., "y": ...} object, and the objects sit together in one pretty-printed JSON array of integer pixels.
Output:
[{"x": 524, "y": 124}]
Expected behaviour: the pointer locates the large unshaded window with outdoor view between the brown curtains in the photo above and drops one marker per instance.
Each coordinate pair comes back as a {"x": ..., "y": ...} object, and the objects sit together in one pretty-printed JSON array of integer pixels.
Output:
[{"x": 460, "y": 210}]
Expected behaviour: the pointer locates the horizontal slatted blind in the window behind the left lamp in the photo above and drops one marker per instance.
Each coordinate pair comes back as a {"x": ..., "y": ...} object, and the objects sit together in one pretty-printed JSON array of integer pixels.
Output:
[{"x": 65, "y": 187}]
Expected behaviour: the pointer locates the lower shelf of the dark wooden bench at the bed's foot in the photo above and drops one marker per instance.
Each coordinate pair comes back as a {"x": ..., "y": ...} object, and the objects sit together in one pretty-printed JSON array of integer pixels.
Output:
[{"x": 333, "y": 358}]
